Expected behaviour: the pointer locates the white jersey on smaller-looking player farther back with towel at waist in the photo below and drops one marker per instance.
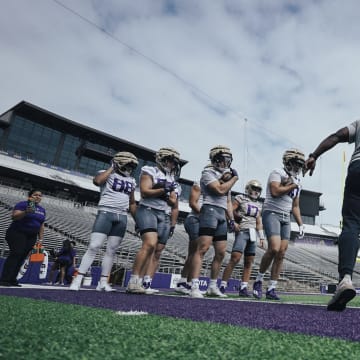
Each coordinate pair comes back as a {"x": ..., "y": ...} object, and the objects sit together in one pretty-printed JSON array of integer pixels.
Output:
[{"x": 248, "y": 211}]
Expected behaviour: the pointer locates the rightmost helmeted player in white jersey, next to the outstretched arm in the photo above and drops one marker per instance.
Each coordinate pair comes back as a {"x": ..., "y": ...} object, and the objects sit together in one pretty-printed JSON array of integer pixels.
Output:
[{"x": 282, "y": 197}]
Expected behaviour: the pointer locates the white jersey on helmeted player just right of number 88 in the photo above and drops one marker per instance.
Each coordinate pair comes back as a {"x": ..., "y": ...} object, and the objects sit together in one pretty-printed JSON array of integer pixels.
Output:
[{"x": 158, "y": 177}]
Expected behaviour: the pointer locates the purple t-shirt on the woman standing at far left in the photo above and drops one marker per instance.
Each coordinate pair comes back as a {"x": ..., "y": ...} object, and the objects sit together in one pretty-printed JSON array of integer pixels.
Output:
[{"x": 31, "y": 222}]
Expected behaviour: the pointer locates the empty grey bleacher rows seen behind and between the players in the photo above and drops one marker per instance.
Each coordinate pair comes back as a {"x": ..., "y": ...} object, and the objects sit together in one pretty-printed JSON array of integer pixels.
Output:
[{"x": 305, "y": 267}]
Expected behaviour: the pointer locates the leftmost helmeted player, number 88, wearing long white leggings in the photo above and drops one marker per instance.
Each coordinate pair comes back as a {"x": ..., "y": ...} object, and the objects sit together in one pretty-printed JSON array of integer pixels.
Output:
[{"x": 117, "y": 197}]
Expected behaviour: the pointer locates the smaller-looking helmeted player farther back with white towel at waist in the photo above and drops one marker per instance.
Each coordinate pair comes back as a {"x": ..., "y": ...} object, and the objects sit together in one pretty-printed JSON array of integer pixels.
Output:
[{"x": 248, "y": 226}]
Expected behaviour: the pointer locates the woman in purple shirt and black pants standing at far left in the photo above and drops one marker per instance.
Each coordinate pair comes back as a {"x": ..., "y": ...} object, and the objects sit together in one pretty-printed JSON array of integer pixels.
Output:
[{"x": 26, "y": 228}]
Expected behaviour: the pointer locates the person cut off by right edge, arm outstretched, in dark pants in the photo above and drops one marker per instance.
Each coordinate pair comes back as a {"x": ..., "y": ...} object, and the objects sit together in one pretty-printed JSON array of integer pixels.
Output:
[{"x": 349, "y": 237}]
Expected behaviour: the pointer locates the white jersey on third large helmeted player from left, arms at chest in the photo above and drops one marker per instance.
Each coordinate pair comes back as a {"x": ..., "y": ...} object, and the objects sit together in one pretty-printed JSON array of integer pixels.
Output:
[{"x": 208, "y": 176}]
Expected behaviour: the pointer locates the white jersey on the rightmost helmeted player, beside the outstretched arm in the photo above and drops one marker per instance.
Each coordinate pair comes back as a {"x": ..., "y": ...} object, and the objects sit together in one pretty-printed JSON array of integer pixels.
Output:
[{"x": 282, "y": 204}]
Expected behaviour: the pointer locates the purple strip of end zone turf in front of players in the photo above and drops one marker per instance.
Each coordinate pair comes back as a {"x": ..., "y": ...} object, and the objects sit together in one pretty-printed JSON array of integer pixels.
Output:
[{"x": 303, "y": 319}]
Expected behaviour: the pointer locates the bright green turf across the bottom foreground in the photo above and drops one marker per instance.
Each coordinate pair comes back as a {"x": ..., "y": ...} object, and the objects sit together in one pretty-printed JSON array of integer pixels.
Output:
[{"x": 38, "y": 329}]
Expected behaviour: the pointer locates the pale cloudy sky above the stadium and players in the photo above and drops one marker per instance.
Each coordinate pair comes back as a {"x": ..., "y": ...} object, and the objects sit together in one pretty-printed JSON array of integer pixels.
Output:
[{"x": 257, "y": 76}]
